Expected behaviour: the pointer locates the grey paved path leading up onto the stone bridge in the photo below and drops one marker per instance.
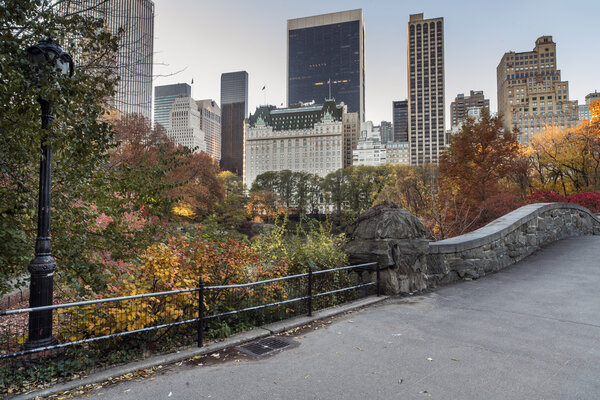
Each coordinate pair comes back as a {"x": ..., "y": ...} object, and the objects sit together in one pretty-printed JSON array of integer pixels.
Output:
[{"x": 530, "y": 332}]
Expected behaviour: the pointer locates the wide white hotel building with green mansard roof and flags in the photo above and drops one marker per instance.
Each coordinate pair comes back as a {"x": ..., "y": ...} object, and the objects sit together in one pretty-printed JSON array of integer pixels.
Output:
[{"x": 308, "y": 138}]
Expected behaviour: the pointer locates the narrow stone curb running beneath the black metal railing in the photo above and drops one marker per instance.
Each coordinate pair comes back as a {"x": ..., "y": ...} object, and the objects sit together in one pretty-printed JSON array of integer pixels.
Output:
[{"x": 171, "y": 358}]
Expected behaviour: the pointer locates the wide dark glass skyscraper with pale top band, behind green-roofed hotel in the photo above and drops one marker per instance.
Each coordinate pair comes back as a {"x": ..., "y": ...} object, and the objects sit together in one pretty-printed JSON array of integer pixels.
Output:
[{"x": 326, "y": 59}]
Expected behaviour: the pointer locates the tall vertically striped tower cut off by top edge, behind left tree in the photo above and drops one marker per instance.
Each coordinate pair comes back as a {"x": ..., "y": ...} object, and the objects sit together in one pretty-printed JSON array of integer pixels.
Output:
[{"x": 134, "y": 21}]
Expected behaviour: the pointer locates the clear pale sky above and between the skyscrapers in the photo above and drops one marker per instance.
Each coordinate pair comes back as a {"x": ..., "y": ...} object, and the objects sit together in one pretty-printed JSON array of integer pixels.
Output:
[{"x": 203, "y": 39}]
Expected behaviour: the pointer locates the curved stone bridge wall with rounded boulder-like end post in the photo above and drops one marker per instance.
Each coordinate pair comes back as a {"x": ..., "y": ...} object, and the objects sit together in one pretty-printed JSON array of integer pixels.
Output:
[{"x": 396, "y": 239}]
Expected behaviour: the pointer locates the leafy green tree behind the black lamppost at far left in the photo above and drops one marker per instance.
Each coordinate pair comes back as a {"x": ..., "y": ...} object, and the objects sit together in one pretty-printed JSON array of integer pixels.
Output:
[{"x": 80, "y": 136}]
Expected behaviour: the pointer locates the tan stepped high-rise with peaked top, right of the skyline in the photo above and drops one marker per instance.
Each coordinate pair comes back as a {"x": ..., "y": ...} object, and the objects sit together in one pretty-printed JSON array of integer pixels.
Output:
[{"x": 531, "y": 94}]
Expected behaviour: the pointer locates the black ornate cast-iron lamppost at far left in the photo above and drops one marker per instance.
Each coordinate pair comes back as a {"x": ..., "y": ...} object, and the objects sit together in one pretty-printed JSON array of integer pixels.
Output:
[{"x": 46, "y": 54}]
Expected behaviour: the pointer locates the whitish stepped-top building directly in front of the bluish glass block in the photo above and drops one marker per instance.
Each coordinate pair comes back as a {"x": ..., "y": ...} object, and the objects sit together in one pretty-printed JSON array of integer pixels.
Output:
[{"x": 184, "y": 124}]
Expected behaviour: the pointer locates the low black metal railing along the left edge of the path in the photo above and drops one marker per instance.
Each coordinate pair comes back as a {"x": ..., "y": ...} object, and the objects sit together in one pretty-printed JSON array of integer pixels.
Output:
[{"x": 90, "y": 321}]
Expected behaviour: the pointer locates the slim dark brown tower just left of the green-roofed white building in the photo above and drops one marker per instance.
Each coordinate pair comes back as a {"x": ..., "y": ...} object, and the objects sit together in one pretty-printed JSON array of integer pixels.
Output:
[{"x": 234, "y": 109}]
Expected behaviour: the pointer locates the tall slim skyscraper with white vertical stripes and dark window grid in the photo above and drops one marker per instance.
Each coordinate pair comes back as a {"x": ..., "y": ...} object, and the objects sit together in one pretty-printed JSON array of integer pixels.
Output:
[{"x": 426, "y": 120}]
